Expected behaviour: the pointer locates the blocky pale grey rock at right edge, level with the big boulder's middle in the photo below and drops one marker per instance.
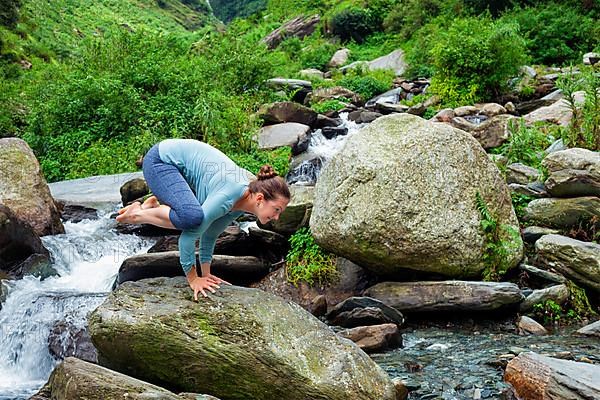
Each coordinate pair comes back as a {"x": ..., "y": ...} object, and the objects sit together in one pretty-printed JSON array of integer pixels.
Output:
[{"x": 573, "y": 173}]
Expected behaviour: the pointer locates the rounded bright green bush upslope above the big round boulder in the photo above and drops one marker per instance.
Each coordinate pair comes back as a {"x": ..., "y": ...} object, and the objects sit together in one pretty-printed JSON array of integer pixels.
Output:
[{"x": 474, "y": 59}]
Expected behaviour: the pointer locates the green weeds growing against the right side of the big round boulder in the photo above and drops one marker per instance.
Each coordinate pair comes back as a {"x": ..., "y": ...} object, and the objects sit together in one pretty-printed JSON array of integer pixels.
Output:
[{"x": 499, "y": 243}]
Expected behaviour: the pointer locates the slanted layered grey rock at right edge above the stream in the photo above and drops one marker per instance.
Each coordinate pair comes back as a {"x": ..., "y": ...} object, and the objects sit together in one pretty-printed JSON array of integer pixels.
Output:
[{"x": 577, "y": 260}]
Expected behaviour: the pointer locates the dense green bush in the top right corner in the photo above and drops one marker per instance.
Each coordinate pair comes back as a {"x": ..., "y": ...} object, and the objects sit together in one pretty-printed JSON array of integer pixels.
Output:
[{"x": 556, "y": 33}]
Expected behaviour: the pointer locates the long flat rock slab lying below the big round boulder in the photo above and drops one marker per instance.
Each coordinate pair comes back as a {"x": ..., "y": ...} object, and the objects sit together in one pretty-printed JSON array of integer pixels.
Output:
[{"x": 413, "y": 297}]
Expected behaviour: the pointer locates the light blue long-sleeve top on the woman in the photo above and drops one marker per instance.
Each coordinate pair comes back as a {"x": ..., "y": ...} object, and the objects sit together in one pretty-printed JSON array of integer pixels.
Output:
[{"x": 217, "y": 183}]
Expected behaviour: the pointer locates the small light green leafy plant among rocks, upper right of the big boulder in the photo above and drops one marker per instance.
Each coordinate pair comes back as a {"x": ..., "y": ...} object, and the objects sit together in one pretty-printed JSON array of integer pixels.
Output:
[{"x": 526, "y": 144}]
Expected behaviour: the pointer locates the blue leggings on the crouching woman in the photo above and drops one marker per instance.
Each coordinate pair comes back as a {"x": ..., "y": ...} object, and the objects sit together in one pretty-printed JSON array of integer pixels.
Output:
[{"x": 170, "y": 188}]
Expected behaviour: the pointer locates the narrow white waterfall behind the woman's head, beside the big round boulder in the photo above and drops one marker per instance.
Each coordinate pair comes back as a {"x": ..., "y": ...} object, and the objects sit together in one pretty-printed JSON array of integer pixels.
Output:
[{"x": 308, "y": 165}]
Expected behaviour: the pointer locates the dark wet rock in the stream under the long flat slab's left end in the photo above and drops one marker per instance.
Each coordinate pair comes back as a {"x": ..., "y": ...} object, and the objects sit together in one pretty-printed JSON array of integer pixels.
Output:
[{"x": 361, "y": 311}]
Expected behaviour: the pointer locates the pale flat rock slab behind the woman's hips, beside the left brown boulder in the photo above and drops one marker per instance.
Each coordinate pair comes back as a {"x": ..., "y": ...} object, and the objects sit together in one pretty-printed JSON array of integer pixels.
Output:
[{"x": 92, "y": 190}]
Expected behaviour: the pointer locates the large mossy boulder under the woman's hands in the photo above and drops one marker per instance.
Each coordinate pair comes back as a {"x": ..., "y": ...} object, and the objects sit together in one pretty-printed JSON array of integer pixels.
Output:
[{"x": 236, "y": 344}]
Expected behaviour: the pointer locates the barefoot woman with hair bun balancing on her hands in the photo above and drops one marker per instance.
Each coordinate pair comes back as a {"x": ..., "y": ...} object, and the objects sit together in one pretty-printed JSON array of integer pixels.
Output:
[{"x": 200, "y": 191}]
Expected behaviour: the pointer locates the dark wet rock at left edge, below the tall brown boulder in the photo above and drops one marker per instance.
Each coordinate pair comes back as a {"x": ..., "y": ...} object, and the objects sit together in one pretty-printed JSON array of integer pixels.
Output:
[{"x": 21, "y": 250}]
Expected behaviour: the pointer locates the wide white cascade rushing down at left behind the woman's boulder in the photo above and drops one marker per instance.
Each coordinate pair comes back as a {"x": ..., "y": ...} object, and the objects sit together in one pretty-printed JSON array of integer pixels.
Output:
[{"x": 87, "y": 258}]
